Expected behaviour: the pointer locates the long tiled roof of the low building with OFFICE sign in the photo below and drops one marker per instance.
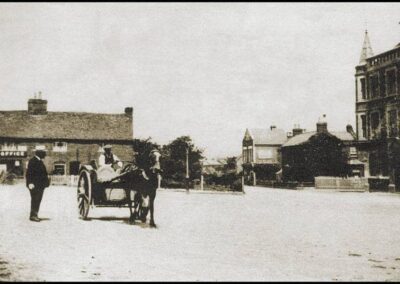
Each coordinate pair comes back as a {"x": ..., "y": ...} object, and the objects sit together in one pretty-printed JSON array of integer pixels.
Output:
[{"x": 66, "y": 125}]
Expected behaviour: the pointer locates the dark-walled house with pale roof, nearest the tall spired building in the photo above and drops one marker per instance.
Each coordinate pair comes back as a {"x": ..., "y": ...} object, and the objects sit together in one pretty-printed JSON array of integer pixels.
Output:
[{"x": 320, "y": 153}]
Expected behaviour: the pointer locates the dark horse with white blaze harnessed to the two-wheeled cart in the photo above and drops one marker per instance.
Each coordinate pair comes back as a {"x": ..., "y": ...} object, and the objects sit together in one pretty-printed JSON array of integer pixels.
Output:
[{"x": 144, "y": 184}]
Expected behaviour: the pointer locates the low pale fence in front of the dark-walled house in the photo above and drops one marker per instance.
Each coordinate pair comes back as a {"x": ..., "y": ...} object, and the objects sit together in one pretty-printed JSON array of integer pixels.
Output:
[{"x": 359, "y": 184}]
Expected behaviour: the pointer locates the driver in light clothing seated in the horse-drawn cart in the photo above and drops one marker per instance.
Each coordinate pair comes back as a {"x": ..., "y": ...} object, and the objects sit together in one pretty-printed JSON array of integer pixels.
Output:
[{"x": 107, "y": 162}]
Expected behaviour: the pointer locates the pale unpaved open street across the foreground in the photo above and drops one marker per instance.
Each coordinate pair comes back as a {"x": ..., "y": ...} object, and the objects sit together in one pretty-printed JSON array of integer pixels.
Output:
[{"x": 265, "y": 234}]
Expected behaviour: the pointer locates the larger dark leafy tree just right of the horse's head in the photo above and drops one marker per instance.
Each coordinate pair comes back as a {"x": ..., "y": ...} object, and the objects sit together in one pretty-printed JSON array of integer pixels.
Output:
[{"x": 173, "y": 160}]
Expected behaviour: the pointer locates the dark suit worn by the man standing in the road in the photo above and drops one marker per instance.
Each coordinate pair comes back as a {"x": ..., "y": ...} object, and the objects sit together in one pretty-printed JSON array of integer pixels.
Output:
[{"x": 37, "y": 175}]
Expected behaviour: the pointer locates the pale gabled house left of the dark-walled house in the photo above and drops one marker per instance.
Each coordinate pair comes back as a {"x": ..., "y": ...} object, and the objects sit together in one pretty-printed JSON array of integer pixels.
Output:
[{"x": 261, "y": 152}]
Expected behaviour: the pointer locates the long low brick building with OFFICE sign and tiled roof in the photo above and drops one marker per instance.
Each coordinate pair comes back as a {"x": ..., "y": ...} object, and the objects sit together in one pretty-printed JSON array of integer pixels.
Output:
[{"x": 71, "y": 138}]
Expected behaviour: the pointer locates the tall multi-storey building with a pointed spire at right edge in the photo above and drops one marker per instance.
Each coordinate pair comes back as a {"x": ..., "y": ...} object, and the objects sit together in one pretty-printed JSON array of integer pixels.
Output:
[{"x": 377, "y": 93}]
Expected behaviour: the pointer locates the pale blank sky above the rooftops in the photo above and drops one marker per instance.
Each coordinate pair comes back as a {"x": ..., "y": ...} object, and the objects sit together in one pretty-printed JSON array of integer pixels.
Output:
[{"x": 207, "y": 70}]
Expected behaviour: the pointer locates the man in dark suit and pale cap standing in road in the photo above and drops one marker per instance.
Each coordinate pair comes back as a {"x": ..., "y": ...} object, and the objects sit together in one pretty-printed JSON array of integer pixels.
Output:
[{"x": 36, "y": 181}]
